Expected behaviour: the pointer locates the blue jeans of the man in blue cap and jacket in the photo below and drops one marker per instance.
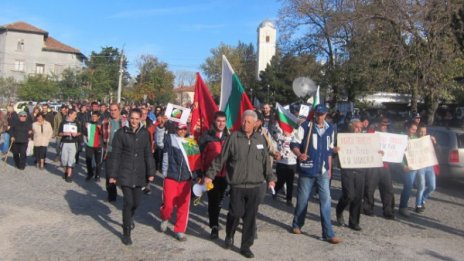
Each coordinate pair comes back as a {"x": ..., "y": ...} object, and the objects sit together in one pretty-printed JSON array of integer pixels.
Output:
[{"x": 305, "y": 185}]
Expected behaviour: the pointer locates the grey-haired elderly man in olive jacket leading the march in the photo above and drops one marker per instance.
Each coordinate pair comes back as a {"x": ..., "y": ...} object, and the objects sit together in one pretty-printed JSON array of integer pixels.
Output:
[{"x": 246, "y": 159}]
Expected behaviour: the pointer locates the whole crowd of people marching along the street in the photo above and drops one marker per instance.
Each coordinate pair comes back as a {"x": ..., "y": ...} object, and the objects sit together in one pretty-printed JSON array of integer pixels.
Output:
[{"x": 133, "y": 143}]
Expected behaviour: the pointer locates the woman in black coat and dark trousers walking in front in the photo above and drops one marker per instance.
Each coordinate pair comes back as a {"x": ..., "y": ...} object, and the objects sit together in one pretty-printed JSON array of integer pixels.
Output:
[{"x": 129, "y": 163}]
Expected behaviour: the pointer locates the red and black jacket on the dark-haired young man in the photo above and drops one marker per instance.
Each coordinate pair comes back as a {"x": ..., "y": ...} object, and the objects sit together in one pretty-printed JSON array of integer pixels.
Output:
[{"x": 210, "y": 148}]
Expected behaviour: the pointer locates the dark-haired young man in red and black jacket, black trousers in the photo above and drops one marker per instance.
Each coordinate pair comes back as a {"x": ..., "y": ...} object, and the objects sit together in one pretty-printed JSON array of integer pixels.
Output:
[{"x": 210, "y": 147}]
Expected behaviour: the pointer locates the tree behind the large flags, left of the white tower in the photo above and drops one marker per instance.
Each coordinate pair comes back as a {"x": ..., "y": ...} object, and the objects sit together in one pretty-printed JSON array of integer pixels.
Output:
[{"x": 242, "y": 59}]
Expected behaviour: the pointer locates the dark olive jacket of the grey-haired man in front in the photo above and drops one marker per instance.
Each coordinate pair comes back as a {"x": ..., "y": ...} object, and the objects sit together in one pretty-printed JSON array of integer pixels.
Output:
[{"x": 246, "y": 160}]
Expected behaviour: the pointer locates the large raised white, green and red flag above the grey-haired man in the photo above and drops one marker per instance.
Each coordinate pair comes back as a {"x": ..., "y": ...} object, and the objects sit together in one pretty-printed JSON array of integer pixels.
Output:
[{"x": 234, "y": 100}]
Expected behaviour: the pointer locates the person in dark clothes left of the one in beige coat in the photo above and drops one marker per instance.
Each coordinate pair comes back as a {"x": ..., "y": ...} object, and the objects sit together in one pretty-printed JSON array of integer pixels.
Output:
[{"x": 20, "y": 132}]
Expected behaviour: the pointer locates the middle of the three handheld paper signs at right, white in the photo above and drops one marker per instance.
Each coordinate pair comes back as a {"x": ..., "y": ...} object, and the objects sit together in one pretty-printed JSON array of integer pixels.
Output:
[{"x": 393, "y": 146}]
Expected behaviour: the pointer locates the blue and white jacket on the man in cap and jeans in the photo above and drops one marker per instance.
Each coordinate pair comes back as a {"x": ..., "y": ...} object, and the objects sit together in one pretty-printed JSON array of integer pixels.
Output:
[{"x": 319, "y": 149}]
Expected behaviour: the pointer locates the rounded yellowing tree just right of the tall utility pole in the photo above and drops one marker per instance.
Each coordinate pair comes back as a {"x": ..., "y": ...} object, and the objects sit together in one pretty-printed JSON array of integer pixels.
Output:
[{"x": 154, "y": 80}]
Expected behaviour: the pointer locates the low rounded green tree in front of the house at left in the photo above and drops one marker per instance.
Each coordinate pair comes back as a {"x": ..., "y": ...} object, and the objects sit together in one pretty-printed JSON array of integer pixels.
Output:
[{"x": 38, "y": 88}]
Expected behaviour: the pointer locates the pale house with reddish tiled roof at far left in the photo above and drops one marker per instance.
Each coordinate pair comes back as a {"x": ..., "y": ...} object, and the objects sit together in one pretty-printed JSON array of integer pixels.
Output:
[{"x": 28, "y": 50}]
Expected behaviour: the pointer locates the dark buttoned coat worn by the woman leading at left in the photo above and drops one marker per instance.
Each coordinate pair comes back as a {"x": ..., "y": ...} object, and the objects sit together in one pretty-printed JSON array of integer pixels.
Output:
[{"x": 130, "y": 160}]
